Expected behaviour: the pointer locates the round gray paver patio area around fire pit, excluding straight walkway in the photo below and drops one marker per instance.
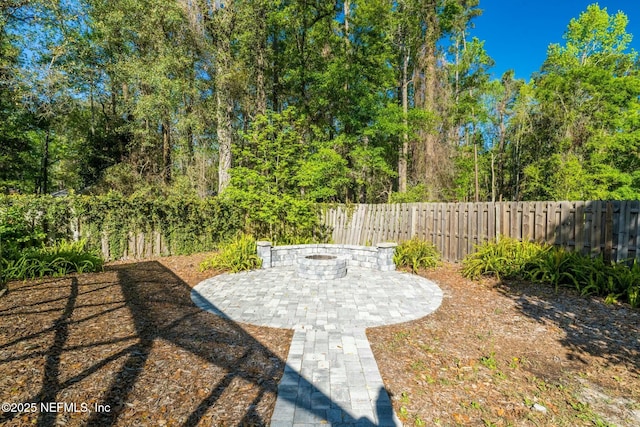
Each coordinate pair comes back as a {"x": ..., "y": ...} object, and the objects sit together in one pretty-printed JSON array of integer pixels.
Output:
[{"x": 276, "y": 297}]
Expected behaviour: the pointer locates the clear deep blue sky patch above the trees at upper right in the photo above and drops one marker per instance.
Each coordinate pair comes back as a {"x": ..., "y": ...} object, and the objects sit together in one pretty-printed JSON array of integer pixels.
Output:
[{"x": 517, "y": 32}]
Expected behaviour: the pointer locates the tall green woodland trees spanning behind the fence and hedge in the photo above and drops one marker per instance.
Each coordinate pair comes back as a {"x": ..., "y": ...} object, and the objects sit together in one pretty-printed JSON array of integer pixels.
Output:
[{"x": 310, "y": 101}]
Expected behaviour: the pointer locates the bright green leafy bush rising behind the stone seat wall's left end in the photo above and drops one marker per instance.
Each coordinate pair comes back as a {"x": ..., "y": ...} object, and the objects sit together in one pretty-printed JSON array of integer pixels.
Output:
[{"x": 282, "y": 168}]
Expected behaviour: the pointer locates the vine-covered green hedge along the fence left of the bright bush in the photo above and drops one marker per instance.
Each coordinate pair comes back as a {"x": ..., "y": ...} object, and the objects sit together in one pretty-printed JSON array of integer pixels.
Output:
[{"x": 187, "y": 224}]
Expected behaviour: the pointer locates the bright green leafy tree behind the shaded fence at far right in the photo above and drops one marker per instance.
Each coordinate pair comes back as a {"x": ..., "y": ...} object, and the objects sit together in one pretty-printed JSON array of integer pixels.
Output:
[{"x": 585, "y": 139}]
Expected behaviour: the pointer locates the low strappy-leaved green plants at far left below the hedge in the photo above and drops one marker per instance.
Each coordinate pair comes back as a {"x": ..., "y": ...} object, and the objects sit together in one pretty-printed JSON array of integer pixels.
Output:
[{"x": 57, "y": 260}]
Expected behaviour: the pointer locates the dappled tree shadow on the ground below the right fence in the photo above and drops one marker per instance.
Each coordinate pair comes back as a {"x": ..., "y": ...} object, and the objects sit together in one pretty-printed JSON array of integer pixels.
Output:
[{"x": 590, "y": 326}]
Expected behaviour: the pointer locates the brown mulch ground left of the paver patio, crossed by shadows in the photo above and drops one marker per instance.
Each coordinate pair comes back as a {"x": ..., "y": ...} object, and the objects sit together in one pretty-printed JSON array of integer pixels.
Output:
[{"x": 131, "y": 338}]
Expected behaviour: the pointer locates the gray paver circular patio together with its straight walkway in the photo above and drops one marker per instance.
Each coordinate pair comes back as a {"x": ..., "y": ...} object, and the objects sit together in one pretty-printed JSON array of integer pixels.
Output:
[{"x": 331, "y": 377}]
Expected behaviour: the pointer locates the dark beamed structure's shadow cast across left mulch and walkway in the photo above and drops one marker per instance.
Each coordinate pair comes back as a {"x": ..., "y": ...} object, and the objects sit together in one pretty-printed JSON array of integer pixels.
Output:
[{"x": 158, "y": 305}]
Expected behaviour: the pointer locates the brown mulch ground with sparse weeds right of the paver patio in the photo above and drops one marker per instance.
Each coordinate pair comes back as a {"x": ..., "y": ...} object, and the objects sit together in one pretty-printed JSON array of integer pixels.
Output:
[{"x": 501, "y": 354}]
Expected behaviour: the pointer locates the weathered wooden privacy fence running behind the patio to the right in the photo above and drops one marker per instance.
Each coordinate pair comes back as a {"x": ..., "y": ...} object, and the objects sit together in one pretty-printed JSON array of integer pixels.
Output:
[{"x": 592, "y": 227}]
